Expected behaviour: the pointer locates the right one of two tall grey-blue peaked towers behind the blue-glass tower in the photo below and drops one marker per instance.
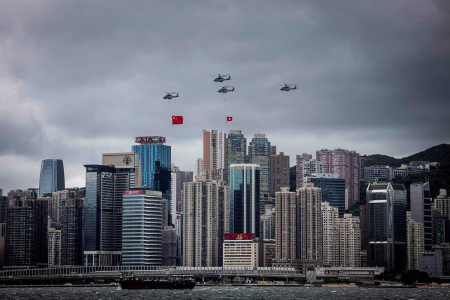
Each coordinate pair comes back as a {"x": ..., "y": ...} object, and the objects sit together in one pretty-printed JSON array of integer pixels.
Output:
[{"x": 259, "y": 153}]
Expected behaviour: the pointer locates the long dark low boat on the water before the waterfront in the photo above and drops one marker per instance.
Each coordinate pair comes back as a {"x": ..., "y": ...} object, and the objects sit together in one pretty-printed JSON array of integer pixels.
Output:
[{"x": 129, "y": 282}]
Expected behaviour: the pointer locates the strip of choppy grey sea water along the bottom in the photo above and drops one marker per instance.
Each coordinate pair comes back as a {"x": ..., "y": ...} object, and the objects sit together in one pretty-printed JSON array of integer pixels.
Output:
[{"x": 223, "y": 292}]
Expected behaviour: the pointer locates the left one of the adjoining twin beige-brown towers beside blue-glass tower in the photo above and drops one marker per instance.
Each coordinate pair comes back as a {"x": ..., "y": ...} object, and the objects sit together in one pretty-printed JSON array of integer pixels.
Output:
[{"x": 286, "y": 226}]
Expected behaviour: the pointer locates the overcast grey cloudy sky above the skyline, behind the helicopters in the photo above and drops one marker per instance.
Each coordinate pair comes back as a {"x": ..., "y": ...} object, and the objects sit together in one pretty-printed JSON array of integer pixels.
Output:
[{"x": 82, "y": 78}]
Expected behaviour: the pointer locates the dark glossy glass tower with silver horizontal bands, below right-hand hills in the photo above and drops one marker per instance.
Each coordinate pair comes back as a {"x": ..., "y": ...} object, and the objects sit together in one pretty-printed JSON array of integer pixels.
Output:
[{"x": 386, "y": 225}]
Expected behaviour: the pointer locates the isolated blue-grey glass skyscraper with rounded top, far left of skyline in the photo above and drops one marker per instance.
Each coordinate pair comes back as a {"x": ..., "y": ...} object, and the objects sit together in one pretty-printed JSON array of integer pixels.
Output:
[{"x": 52, "y": 177}]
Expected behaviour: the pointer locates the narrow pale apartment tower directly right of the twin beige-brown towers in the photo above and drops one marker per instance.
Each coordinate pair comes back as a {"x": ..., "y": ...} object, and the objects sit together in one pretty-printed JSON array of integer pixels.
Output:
[{"x": 330, "y": 235}]
